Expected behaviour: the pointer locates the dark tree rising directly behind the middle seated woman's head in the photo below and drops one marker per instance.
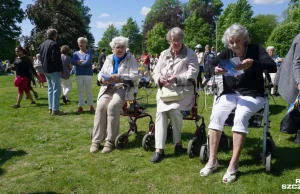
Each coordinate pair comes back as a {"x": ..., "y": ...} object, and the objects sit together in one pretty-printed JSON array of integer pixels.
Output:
[{"x": 169, "y": 12}]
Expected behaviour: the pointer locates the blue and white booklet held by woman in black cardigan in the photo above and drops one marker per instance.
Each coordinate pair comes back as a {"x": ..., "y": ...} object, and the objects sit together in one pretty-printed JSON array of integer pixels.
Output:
[{"x": 229, "y": 65}]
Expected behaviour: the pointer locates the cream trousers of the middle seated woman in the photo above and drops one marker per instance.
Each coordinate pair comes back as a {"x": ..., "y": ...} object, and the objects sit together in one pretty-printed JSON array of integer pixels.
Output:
[{"x": 161, "y": 125}]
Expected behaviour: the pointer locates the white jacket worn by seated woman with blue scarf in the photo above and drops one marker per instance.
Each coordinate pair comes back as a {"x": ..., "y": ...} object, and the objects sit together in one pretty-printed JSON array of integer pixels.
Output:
[{"x": 128, "y": 70}]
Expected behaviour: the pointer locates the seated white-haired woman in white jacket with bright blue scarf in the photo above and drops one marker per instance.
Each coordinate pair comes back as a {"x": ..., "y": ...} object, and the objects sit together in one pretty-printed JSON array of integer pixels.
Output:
[{"x": 119, "y": 69}]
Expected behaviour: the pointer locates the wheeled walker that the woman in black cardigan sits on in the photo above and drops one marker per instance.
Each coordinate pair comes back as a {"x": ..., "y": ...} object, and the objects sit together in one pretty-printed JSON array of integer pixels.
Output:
[{"x": 268, "y": 145}]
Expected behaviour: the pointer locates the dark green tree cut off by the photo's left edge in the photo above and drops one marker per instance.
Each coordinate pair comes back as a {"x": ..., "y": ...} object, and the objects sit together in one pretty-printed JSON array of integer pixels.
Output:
[{"x": 10, "y": 14}]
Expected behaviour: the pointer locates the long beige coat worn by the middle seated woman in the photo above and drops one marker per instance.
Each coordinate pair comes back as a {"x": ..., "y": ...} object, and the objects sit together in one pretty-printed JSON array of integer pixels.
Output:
[{"x": 184, "y": 67}]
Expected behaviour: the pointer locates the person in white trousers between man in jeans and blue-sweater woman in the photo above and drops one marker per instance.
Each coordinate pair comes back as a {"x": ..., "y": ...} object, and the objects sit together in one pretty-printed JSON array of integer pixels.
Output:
[{"x": 65, "y": 78}]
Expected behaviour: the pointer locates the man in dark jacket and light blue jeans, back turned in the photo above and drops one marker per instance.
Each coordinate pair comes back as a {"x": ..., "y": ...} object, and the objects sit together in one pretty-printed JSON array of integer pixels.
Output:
[{"x": 52, "y": 65}]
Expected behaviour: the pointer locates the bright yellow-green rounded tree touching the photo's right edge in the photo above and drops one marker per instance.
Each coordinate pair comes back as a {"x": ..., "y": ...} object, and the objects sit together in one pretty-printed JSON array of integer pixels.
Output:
[{"x": 282, "y": 37}]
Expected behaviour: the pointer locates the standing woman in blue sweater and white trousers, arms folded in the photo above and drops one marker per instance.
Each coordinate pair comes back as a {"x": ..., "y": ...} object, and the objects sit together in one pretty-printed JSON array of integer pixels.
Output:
[{"x": 82, "y": 60}]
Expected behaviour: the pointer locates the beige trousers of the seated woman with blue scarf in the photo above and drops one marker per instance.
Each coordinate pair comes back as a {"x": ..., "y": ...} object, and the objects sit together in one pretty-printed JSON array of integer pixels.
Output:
[{"x": 107, "y": 115}]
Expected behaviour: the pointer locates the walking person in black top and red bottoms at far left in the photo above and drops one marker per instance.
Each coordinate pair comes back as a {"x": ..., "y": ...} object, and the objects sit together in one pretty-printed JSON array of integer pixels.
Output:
[{"x": 23, "y": 68}]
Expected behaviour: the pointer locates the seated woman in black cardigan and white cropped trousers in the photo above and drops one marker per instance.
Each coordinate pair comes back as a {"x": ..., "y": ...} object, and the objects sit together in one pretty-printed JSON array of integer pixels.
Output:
[{"x": 244, "y": 93}]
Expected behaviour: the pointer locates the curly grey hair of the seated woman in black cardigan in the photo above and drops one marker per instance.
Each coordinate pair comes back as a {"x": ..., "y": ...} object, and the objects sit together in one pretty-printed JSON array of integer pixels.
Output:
[{"x": 235, "y": 30}]
